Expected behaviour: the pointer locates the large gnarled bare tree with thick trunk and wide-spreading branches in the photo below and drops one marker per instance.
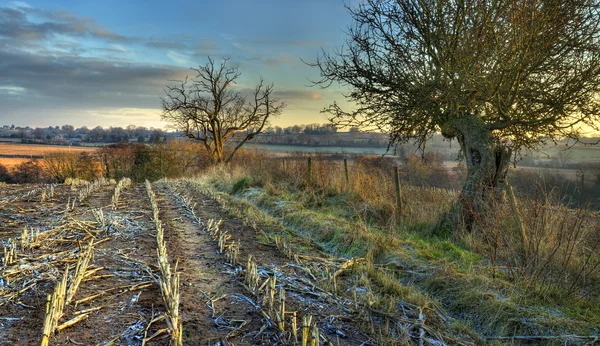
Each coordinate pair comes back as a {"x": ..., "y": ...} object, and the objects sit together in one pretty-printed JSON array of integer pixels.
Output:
[{"x": 498, "y": 76}]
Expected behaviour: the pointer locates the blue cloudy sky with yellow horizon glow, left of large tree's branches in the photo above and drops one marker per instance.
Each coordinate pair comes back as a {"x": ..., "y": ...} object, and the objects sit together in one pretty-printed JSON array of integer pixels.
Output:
[{"x": 89, "y": 63}]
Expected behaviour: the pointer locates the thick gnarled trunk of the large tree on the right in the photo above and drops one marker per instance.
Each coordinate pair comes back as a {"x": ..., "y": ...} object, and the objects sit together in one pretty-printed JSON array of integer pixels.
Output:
[{"x": 487, "y": 162}]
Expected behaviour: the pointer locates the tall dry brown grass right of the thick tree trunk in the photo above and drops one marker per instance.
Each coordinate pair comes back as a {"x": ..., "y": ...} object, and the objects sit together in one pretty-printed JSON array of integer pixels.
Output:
[{"x": 553, "y": 249}]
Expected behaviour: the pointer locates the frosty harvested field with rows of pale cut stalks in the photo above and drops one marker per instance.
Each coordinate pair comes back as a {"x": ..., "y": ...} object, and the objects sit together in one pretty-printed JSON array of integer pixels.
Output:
[{"x": 238, "y": 282}]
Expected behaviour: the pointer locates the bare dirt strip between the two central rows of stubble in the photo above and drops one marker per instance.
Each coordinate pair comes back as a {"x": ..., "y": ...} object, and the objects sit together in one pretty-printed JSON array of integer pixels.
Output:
[{"x": 213, "y": 303}]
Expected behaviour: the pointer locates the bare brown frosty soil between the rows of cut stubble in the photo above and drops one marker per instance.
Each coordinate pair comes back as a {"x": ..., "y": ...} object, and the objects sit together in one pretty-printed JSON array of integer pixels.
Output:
[{"x": 216, "y": 305}]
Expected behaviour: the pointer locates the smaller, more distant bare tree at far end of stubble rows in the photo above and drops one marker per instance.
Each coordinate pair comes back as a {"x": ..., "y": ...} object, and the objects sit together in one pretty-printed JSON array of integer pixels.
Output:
[{"x": 208, "y": 109}]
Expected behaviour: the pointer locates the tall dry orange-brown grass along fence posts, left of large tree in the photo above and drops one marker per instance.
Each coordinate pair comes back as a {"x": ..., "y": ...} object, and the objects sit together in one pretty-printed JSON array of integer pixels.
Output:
[{"x": 369, "y": 193}]
